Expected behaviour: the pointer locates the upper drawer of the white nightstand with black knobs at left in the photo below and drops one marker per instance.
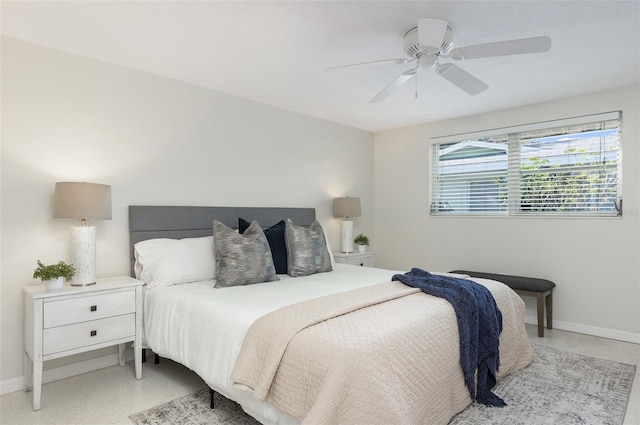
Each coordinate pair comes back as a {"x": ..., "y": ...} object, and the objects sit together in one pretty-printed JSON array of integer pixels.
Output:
[{"x": 93, "y": 307}]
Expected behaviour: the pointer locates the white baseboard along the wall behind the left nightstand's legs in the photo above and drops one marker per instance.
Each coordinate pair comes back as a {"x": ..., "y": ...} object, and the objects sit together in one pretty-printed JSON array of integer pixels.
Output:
[{"x": 17, "y": 384}]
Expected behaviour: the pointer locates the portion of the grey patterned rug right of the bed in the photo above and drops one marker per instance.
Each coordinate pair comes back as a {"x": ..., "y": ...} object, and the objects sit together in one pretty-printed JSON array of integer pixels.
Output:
[{"x": 558, "y": 388}]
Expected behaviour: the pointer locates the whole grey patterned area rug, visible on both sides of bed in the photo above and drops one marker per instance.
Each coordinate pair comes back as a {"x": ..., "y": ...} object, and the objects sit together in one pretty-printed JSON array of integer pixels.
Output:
[{"x": 558, "y": 388}]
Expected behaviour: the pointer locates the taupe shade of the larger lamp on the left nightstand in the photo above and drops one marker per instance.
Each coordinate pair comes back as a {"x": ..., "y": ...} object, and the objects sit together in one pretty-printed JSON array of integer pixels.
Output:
[{"x": 82, "y": 201}]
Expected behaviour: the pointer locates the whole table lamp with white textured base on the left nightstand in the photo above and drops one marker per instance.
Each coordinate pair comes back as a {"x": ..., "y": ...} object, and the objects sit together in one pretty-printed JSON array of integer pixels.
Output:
[{"x": 83, "y": 201}]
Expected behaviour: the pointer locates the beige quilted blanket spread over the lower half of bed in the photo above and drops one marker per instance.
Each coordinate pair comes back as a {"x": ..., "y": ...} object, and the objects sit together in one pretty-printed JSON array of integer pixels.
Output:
[{"x": 393, "y": 359}]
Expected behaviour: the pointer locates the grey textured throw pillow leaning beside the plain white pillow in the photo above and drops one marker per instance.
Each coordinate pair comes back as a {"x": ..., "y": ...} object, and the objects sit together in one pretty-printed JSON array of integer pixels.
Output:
[{"x": 242, "y": 259}]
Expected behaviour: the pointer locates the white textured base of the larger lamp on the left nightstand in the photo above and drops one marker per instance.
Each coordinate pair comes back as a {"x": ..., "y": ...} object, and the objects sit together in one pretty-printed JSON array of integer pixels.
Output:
[{"x": 83, "y": 242}]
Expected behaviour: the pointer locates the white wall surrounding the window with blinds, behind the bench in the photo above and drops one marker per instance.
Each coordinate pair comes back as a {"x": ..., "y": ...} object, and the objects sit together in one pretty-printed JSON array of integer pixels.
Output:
[{"x": 594, "y": 262}]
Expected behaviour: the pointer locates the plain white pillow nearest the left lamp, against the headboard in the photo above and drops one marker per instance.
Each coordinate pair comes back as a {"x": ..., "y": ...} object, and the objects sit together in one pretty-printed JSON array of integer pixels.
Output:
[{"x": 174, "y": 261}]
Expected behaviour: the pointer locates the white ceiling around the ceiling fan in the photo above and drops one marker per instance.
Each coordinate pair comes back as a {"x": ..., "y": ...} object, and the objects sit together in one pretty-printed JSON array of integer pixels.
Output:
[{"x": 276, "y": 52}]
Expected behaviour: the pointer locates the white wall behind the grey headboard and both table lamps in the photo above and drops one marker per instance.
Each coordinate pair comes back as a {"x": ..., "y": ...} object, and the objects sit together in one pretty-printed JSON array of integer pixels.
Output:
[{"x": 155, "y": 141}]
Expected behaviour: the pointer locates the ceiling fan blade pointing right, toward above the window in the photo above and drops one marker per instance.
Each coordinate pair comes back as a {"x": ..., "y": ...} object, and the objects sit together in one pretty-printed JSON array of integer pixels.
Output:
[{"x": 503, "y": 48}]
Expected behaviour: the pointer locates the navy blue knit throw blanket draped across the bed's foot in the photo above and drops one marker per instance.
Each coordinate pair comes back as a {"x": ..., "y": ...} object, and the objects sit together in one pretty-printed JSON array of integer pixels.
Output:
[{"x": 479, "y": 325}]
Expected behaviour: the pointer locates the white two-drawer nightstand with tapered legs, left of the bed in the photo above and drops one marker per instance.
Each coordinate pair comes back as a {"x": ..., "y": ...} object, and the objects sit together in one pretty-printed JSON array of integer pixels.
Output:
[{"x": 78, "y": 319}]
